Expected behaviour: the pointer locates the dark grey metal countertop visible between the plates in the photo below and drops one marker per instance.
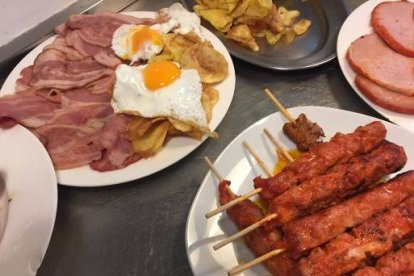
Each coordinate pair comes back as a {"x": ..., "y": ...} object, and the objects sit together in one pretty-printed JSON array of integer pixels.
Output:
[{"x": 138, "y": 228}]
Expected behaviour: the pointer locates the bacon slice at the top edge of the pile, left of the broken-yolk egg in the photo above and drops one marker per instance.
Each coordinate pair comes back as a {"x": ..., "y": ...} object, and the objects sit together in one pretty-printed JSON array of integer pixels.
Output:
[{"x": 97, "y": 29}]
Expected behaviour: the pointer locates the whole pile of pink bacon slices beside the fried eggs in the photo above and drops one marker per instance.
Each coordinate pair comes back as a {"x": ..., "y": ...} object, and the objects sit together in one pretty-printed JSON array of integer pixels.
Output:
[{"x": 64, "y": 97}]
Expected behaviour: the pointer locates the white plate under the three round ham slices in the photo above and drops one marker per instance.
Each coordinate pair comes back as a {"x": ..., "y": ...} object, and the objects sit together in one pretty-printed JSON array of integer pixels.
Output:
[{"x": 356, "y": 25}]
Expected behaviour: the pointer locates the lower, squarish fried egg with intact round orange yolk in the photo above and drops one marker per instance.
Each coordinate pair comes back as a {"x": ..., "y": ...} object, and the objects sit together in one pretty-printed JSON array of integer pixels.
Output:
[{"x": 159, "y": 89}]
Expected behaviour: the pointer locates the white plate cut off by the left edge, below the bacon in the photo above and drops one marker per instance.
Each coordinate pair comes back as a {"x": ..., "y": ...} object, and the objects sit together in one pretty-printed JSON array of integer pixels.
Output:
[{"x": 32, "y": 188}]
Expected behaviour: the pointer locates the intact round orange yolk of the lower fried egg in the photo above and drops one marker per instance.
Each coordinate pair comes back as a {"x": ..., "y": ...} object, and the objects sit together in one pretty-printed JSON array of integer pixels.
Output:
[{"x": 160, "y": 74}]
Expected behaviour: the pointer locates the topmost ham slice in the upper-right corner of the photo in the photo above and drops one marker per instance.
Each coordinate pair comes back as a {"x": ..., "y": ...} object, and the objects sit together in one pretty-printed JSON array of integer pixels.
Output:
[{"x": 394, "y": 23}]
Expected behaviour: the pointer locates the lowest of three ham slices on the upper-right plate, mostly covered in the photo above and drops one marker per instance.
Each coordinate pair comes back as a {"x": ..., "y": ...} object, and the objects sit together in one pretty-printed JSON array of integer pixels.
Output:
[{"x": 384, "y": 97}]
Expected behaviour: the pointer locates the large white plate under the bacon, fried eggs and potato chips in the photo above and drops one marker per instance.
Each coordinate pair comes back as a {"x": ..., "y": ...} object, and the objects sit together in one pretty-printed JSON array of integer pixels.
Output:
[{"x": 175, "y": 150}]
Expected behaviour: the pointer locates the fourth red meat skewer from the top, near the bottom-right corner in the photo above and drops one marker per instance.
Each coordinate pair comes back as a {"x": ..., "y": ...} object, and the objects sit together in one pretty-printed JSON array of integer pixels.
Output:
[{"x": 373, "y": 238}]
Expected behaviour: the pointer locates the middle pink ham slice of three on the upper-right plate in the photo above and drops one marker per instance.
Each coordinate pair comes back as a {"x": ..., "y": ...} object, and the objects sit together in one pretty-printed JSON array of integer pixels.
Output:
[{"x": 371, "y": 57}]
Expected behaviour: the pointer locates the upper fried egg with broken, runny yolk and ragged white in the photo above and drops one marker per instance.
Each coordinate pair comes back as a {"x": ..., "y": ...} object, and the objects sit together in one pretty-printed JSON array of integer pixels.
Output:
[{"x": 141, "y": 42}]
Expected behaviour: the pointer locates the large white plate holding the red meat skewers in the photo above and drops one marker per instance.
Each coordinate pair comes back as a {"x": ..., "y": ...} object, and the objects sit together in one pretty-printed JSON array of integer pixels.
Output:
[{"x": 236, "y": 165}]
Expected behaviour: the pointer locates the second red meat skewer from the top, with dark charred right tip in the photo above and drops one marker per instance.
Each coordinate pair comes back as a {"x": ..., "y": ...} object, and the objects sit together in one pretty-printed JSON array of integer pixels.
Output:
[{"x": 339, "y": 182}]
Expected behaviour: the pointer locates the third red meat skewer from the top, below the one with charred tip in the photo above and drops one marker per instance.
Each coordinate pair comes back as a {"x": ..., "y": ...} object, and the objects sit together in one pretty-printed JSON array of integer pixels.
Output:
[{"x": 311, "y": 231}]
